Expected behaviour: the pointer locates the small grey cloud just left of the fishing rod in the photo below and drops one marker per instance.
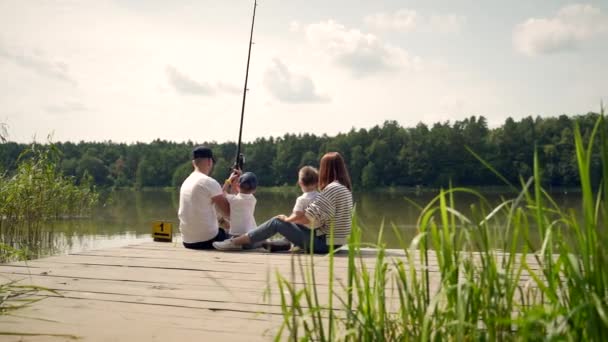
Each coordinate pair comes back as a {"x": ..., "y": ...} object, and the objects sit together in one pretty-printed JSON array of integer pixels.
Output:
[{"x": 187, "y": 86}]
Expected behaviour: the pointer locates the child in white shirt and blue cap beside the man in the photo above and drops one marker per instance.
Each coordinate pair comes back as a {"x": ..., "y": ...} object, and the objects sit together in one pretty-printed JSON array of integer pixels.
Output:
[{"x": 242, "y": 203}]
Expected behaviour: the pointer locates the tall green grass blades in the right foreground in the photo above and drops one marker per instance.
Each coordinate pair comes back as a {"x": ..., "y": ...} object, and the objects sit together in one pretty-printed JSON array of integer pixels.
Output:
[{"x": 473, "y": 275}]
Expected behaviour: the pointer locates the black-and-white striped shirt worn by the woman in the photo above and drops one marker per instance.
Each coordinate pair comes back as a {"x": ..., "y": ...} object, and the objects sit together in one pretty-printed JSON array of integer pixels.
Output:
[{"x": 332, "y": 208}]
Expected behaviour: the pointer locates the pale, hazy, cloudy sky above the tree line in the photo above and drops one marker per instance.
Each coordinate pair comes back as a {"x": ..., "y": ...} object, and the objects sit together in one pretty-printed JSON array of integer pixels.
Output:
[{"x": 135, "y": 71}]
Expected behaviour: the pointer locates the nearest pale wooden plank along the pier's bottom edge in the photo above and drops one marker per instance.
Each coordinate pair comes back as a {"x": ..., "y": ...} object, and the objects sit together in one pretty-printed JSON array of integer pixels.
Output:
[{"x": 96, "y": 320}]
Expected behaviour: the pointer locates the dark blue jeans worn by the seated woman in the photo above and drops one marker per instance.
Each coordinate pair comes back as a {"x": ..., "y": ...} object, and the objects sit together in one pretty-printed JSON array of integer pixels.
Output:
[{"x": 297, "y": 234}]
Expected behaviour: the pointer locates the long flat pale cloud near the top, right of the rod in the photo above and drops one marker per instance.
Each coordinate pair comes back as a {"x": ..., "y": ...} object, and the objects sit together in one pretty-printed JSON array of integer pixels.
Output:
[{"x": 407, "y": 20}]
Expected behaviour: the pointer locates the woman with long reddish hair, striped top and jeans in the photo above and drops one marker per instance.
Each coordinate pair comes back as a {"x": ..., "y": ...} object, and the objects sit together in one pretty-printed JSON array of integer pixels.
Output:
[{"x": 330, "y": 210}]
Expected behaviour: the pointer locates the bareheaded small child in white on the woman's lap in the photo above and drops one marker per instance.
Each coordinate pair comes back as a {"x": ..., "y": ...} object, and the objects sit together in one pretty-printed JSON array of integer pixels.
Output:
[{"x": 308, "y": 180}]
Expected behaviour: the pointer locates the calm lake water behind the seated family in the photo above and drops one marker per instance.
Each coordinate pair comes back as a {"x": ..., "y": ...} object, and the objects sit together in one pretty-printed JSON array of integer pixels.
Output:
[{"x": 127, "y": 217}]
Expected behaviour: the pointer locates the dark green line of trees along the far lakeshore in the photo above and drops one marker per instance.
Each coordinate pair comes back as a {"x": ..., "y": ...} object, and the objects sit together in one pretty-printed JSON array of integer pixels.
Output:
[{"x": 385, "y": 155}]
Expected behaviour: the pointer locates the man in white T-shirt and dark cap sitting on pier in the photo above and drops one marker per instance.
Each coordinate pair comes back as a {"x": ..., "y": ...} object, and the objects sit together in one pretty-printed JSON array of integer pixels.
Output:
[{"x": 198, "y": 197}]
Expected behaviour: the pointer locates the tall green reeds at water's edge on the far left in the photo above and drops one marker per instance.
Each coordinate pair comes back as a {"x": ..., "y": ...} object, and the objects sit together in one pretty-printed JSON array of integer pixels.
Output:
[{"x": 35, "y": 195}]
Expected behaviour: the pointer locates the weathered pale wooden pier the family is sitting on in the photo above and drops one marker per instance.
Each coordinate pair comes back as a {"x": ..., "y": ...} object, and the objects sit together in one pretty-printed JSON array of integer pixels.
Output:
[{"x": 158, "y": 292}]
